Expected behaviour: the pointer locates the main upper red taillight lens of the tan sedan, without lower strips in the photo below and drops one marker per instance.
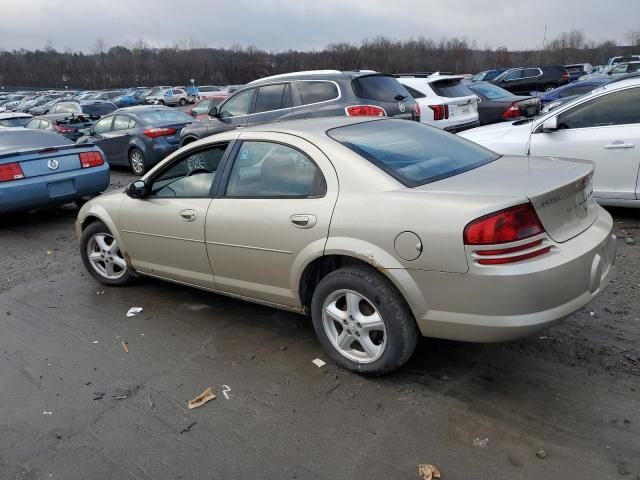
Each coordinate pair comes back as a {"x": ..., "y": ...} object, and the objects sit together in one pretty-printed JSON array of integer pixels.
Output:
[{"x": 510, "y": 225}]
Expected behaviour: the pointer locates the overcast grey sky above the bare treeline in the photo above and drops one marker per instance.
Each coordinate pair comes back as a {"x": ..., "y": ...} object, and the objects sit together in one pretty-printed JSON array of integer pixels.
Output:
[{"x": 306, "y": 24}]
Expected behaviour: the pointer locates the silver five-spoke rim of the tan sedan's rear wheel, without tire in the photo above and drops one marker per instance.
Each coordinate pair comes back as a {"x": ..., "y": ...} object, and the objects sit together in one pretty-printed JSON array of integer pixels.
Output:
[{"x": 354, "y": 326}]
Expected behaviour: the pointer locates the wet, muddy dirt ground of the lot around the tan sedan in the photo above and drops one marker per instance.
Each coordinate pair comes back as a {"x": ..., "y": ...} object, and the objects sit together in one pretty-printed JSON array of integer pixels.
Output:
[{"x": 76, "y": 405}]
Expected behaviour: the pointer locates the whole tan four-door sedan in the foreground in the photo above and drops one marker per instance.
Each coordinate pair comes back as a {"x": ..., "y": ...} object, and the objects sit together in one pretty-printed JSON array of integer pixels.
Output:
[{"x": 380, "y": 229}]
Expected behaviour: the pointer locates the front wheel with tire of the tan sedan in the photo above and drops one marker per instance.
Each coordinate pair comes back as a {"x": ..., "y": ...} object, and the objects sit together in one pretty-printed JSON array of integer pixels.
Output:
[{"x": 102, "y": 257}]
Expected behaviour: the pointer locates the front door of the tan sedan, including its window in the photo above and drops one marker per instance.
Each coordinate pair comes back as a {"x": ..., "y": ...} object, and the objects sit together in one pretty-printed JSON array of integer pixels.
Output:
[{"x": 164, "y": 233}]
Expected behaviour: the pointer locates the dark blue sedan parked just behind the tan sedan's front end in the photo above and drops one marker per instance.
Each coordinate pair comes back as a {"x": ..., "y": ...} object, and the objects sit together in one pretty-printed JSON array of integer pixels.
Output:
[{"x": 139, "y": 137}]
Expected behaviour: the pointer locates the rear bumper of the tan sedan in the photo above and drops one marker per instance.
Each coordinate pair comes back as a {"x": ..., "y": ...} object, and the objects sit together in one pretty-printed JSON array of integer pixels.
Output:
[{"x": 500, "y": 303}]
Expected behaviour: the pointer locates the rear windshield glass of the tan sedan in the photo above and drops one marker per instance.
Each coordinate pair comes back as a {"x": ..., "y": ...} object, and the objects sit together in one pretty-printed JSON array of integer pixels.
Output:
[{"x": 411, "y": 152}]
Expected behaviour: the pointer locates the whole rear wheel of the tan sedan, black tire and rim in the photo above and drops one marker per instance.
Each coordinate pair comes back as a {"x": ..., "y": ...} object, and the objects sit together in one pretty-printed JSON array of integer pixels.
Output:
[{"x": 362, "y": 322}]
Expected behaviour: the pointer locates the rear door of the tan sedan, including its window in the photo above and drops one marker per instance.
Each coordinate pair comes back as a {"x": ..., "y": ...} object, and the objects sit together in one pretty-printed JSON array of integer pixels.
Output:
[{"x": 274, "y": 214}]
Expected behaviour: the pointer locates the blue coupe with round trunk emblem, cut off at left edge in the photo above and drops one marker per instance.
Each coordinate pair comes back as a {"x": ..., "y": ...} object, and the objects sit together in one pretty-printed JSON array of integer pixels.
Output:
[{"x": 40, "y": 169}]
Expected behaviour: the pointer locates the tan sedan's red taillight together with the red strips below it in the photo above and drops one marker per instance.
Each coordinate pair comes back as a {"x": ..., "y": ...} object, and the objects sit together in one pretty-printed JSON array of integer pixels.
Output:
[{"x": 506, "y": 226}]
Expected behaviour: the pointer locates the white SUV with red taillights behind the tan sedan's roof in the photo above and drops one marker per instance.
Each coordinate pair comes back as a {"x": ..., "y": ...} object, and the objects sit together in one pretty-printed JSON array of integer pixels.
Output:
[{"x": 445, "y": 102}]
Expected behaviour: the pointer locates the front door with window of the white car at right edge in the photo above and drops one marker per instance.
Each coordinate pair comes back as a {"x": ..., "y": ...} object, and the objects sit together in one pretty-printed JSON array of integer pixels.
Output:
[{"x": 605, "y": 131}]
